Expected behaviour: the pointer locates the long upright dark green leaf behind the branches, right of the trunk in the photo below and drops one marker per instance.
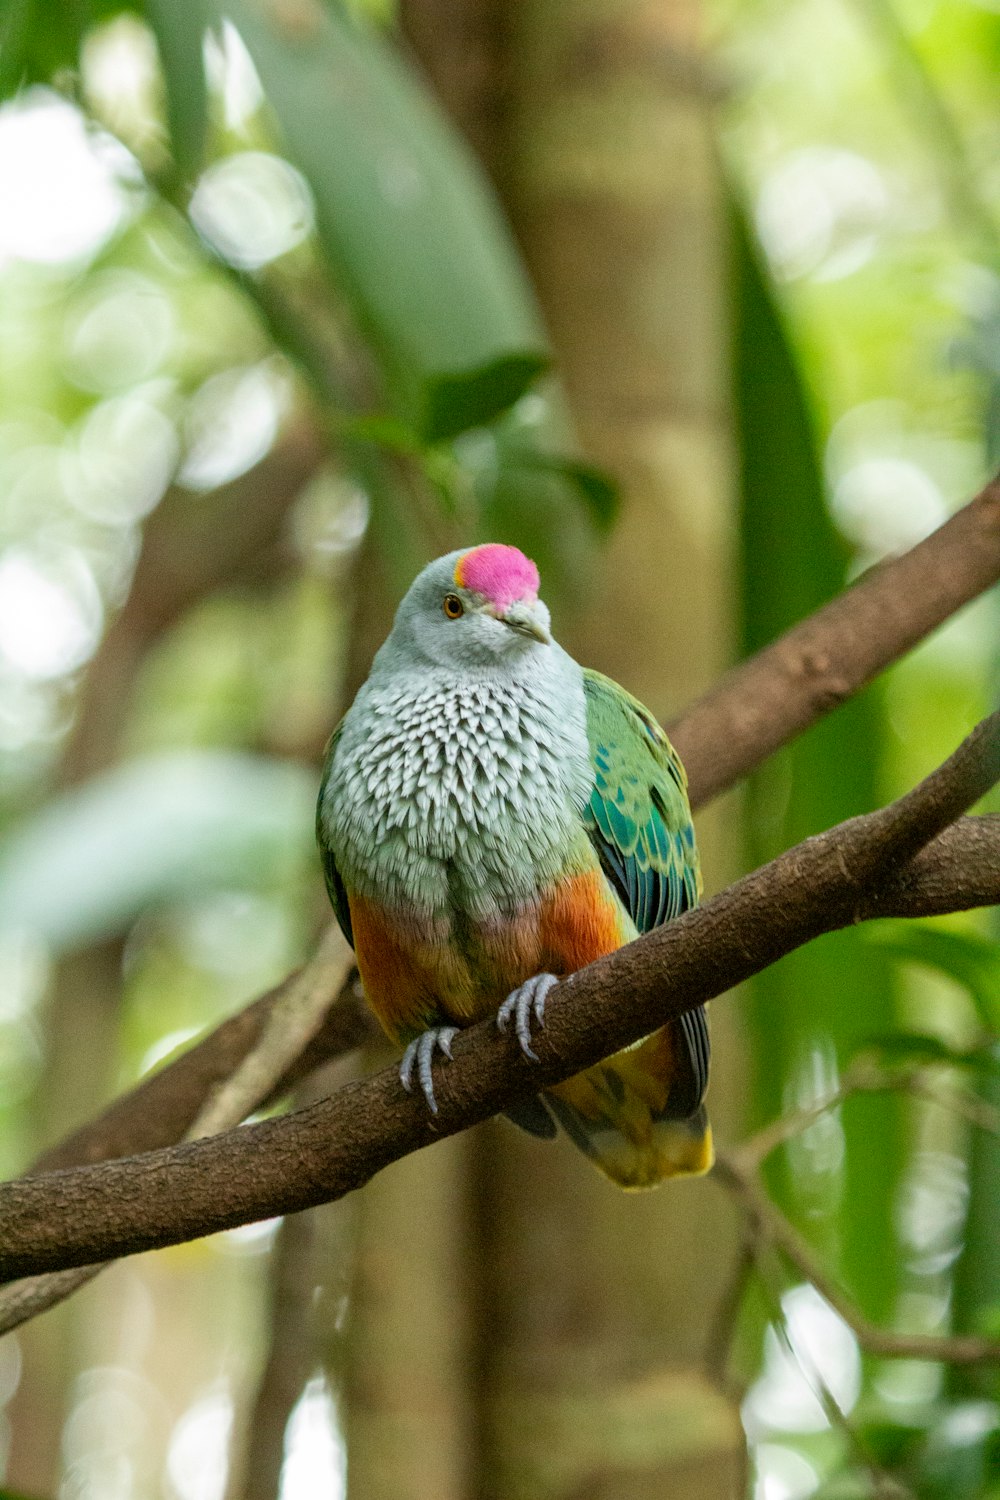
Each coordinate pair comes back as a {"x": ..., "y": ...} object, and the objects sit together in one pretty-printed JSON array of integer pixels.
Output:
[{"x": 809, "y": 1013}]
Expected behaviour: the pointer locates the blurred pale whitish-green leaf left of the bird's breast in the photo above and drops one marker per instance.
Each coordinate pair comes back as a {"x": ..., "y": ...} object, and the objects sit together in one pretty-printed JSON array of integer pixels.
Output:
[{"x": 151, "y": 832}]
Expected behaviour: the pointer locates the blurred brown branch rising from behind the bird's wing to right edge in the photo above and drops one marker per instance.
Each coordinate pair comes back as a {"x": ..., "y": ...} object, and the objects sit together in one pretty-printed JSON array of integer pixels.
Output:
[{"x": 828, "y": 658}]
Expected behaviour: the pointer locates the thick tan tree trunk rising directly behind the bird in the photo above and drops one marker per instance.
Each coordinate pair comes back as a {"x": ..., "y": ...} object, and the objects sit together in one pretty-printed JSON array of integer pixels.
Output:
[{"x": 600, "y": 1304}]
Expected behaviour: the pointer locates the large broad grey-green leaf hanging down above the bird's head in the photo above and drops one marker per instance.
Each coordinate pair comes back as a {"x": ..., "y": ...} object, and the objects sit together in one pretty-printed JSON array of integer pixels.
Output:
[{"x": 409, "y": 224}]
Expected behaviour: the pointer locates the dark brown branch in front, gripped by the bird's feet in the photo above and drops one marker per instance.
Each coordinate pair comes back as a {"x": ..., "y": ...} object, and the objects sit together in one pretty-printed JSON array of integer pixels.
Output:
[{"x": 338, "y": 1145}]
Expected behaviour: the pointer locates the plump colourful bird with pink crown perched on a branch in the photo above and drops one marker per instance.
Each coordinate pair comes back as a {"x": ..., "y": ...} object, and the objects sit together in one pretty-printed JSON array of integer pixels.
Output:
[{"x": 494, "y": 817}]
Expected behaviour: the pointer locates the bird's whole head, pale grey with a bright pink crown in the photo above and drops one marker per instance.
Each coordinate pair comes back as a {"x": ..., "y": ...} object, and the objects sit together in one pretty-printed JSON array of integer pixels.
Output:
[{"x": 473, "y": 608}]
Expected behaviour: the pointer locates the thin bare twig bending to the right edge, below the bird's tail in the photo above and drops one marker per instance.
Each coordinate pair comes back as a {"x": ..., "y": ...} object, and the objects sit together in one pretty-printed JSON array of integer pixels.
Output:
[{"x": 771, "y": 1225}]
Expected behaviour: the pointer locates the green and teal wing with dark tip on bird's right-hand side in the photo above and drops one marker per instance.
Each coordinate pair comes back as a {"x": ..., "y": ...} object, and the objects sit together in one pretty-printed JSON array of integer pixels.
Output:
[{"x": 639, "y": 823}]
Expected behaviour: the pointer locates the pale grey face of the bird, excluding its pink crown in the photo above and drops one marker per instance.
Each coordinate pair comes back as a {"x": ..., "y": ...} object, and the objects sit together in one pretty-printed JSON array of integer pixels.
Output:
[{"x": 442, "y": 625}]
